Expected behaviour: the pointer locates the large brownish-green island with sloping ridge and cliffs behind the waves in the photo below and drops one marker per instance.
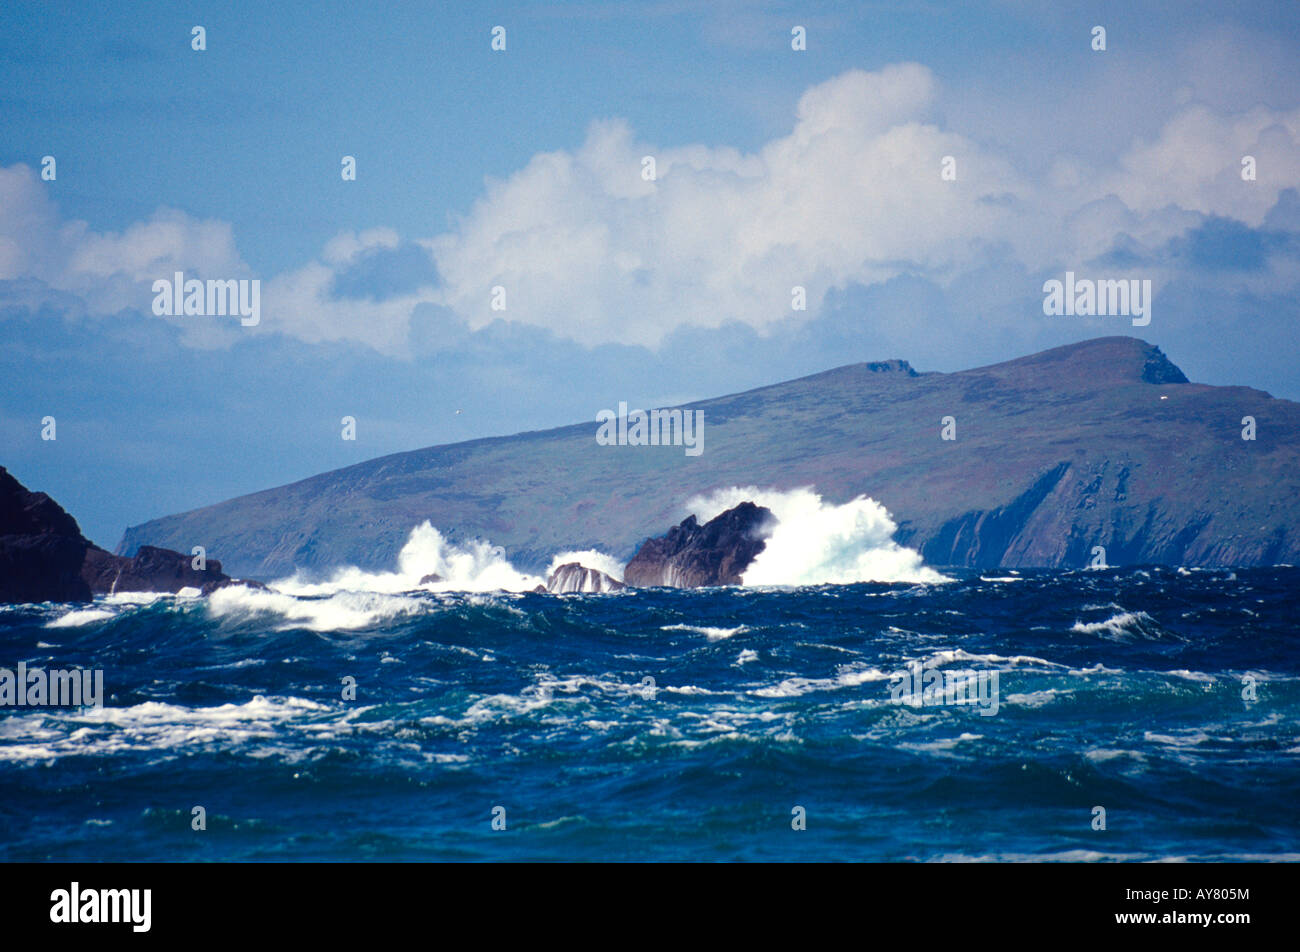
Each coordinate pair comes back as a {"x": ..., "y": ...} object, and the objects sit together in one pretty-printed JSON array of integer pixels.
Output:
[{"x": 1097, "y": 444}]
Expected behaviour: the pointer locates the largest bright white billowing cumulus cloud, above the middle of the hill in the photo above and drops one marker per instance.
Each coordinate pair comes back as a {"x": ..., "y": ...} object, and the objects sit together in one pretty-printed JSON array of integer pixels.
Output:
[{"x": 853, "y": 194}]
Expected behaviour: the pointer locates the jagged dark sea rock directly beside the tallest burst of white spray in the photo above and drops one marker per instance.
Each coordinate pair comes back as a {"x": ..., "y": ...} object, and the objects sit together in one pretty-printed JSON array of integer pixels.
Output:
[{"x": 694, "y": 556}]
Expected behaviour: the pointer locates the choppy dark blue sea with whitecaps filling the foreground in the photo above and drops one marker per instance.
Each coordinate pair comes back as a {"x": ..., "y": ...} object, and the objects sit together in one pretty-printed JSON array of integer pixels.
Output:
[{"x": 1121, "y": 690}]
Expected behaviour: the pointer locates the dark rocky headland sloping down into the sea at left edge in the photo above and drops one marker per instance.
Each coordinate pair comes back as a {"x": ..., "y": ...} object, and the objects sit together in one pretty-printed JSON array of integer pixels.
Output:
[{"x": 46, "y": 559}]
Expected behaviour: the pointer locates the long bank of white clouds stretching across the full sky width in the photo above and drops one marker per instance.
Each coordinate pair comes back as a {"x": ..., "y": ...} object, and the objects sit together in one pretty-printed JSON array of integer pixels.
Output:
[{"x": 586, "y": 248}]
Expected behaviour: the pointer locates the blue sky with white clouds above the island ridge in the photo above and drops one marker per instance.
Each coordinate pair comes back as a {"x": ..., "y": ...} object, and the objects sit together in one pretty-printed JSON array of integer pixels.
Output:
[{"x": 525, "y": 170}]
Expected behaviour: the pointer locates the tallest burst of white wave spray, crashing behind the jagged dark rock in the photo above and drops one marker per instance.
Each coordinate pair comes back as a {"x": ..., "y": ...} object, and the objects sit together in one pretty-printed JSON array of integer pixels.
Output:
[{"x": 817, "y": 543}]
